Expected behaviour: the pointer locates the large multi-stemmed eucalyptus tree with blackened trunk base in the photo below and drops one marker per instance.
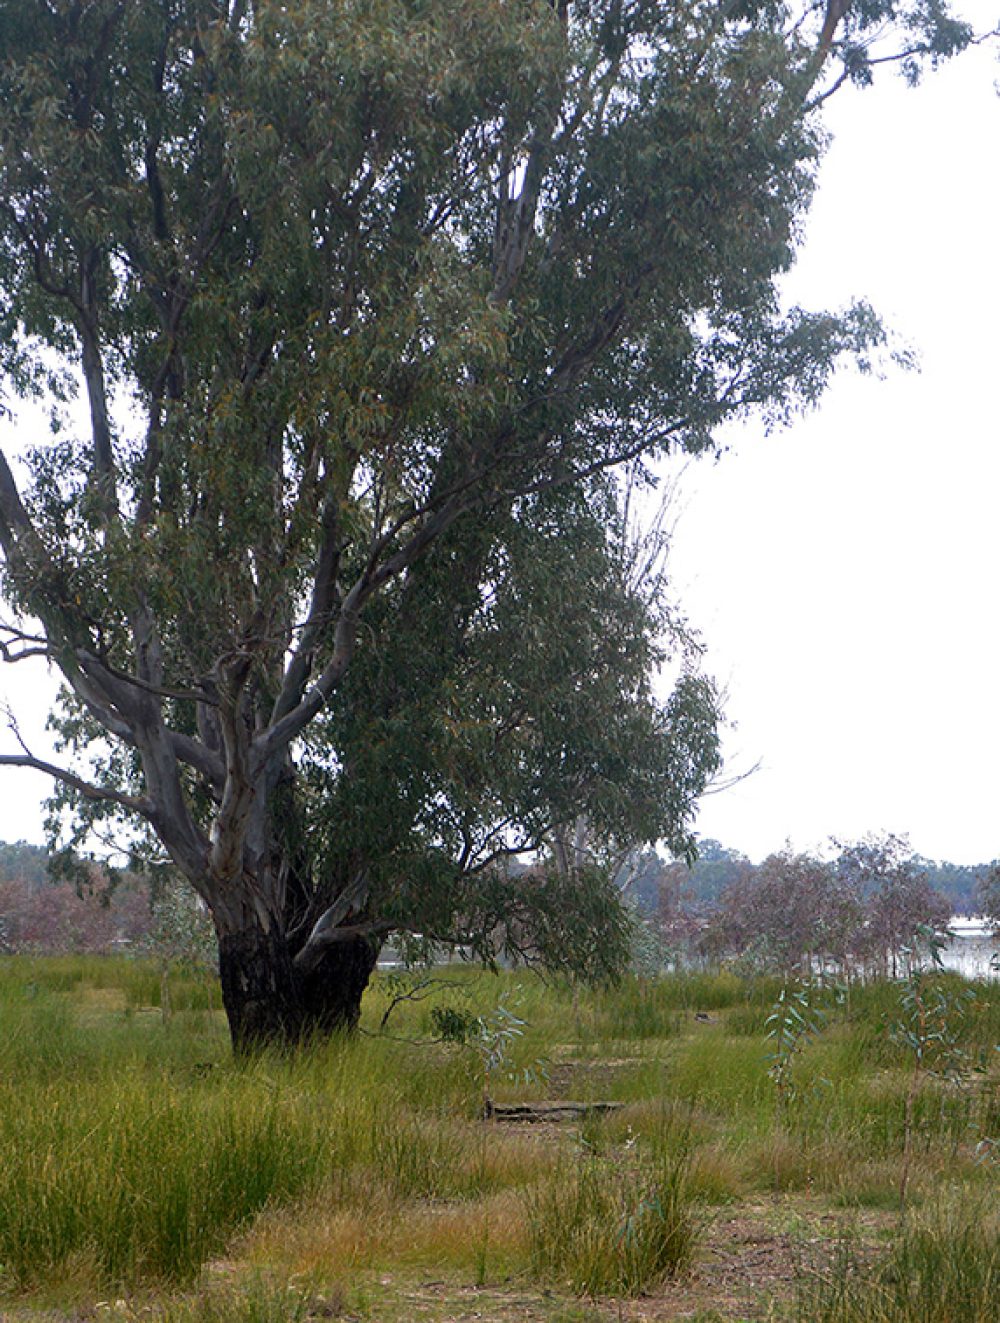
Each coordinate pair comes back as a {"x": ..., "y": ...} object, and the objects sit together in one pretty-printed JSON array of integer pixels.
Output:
[{"x": 368, "y": 302}]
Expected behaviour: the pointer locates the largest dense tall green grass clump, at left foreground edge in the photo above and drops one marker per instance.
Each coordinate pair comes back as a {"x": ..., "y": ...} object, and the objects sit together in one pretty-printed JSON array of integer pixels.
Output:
[{"x": 146, "y": 1181}]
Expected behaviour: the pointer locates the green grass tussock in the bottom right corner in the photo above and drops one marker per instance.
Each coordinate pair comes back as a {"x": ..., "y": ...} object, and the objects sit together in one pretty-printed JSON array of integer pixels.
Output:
[{"x": 940, "y": 1271}]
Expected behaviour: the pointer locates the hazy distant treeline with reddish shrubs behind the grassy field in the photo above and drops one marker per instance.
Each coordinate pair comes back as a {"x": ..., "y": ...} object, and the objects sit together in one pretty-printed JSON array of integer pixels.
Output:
[{"x": 858, "y": 911}]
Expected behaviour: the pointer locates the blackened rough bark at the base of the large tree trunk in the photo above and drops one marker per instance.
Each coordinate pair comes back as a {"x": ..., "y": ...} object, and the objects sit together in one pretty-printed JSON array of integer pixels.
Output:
[{"x": 271, "y": 1003}]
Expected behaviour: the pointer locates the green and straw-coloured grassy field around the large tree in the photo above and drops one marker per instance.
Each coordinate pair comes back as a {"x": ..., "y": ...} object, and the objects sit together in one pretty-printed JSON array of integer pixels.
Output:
[{"x": 145, "y": 1175}]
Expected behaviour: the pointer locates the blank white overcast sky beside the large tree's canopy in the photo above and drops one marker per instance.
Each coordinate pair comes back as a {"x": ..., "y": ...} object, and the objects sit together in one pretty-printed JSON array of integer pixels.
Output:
[{"x": 845, "y": 574}]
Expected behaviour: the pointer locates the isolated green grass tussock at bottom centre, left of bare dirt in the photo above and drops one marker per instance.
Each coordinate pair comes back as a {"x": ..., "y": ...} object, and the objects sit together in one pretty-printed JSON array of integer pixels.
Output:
[{"x": 613, "y": 1231}]
